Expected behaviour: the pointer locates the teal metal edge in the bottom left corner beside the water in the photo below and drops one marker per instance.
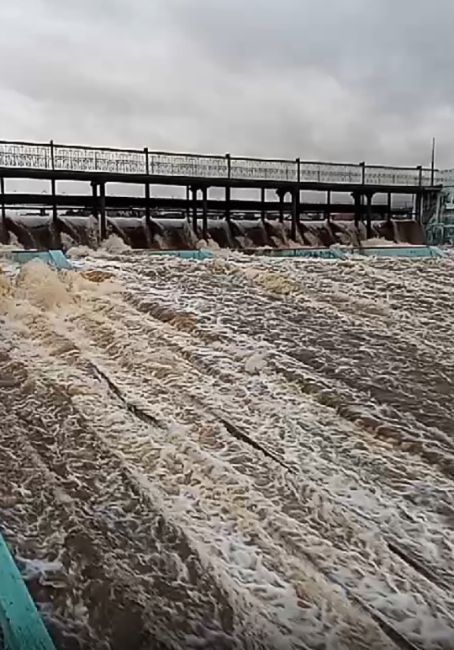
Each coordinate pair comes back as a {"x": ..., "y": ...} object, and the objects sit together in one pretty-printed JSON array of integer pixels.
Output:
[{"x": 22, "y": 626}]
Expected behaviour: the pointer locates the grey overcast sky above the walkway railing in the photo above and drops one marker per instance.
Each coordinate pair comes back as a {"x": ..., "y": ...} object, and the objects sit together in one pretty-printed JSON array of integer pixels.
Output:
[{"x": 320, "y": 79}]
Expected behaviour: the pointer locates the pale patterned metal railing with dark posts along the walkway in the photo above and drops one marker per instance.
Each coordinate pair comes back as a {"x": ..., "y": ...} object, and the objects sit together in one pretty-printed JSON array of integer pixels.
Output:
[{"x": 75, "y": 158}]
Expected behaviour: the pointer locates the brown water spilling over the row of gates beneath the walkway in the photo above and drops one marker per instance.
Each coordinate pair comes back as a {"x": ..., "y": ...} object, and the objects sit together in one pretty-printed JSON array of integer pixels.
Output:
[{"x": 41, "y": 232}]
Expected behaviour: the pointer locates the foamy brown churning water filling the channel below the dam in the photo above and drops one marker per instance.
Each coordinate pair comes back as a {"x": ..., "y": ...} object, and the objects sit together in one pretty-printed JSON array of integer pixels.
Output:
[{"x": 237, "y": 453}]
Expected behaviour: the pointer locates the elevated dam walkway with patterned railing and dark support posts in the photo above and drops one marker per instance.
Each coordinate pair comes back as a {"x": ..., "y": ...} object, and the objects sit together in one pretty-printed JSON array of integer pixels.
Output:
[{"x": 198, "y": 173}]
